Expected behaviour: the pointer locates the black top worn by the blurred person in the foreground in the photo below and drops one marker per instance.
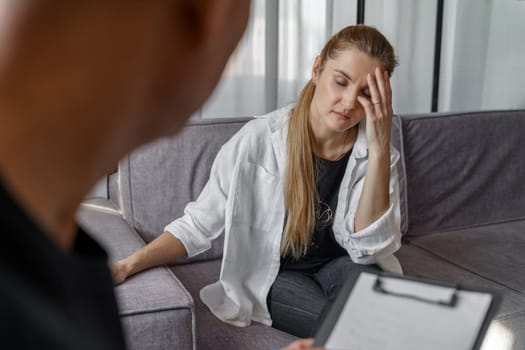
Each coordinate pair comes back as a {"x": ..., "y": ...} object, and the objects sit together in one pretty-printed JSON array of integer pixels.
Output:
[{"x": 49, "y": 299}]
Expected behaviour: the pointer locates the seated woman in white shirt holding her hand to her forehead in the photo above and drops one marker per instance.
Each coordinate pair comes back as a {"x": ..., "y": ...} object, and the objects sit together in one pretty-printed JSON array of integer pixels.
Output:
[{"x": 302, "y": 195}]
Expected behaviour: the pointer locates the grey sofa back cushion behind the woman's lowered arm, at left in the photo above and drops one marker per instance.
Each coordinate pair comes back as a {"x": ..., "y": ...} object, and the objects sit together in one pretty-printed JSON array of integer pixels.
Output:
[{"x": 157, "y": 180}]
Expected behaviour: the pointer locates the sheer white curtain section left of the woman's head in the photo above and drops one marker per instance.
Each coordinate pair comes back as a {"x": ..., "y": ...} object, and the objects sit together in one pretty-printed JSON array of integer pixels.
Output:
[{"x": 274, "y": 58}]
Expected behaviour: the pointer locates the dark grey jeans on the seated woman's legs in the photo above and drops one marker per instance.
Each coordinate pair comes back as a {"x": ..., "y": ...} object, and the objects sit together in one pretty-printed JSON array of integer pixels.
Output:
[{"x": 297, "y": 301}]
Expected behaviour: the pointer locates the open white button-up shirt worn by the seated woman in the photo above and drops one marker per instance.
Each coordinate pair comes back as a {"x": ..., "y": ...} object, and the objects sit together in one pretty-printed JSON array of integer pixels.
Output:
[{"x": 244, "y": 199}]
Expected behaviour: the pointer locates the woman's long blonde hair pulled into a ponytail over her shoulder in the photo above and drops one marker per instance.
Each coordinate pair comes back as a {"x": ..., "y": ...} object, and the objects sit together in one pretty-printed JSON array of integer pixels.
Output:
[{"x": 300, "y": 186}]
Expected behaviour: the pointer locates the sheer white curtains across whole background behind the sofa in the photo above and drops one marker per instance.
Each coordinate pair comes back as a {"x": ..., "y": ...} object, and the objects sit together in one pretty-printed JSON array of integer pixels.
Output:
[{"x": 481, "y": 60}]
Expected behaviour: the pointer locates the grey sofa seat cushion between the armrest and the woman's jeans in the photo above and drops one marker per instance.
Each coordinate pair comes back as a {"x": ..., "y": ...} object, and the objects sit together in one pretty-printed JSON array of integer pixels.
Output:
[{"x": 224, "y": 336}]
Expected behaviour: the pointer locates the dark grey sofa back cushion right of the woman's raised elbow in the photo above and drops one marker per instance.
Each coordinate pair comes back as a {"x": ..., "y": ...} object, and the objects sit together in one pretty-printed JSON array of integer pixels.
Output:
[{"x": 462, "y": 169}]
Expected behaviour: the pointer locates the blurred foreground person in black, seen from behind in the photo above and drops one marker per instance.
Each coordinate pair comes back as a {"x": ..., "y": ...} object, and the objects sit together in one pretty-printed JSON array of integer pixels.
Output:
[{"x": 82, "y": 83}]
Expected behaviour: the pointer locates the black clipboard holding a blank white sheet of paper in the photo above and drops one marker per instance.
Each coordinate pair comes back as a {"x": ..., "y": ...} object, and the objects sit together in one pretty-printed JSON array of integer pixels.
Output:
[{"x": 380, "y": 310}]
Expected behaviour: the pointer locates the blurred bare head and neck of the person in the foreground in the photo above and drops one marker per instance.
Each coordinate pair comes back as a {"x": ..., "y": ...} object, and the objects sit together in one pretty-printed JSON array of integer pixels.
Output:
[{"x": 84, "y": 82}]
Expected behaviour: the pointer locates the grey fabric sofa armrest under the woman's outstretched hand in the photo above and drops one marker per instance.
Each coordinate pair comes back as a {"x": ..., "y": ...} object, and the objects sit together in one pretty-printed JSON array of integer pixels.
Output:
[{"x": 156, "y": 310}]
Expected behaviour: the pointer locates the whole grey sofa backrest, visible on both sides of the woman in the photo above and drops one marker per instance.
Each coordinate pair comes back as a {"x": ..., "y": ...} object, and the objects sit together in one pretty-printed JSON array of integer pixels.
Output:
[{"x": 457, "y": 170}]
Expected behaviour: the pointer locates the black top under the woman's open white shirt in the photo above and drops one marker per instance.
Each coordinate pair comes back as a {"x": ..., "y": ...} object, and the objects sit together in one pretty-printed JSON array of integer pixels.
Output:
[{"x": 323, "y": 247}]
